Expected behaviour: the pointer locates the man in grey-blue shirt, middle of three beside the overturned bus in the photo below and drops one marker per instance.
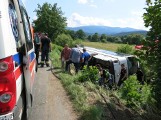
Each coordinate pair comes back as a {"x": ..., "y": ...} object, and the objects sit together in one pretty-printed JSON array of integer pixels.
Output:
[{"x": 74, "y": 58}]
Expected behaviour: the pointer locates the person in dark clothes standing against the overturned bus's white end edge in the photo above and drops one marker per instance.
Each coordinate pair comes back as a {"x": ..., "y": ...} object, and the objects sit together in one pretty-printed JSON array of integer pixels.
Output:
[{"x": 123, "y": 75}]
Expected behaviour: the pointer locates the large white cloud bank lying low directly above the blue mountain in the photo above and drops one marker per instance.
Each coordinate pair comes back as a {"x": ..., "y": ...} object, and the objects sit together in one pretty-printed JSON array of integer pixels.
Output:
[{"x": 77, "y": 20}]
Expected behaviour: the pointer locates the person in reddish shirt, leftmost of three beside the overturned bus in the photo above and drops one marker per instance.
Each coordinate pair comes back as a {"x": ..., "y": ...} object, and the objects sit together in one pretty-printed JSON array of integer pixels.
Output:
[{"x": 65, "y": 54}]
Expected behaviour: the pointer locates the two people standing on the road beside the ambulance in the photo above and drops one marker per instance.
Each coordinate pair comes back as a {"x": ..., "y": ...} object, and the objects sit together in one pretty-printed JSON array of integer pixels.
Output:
[{"x": 42, "y": 44}]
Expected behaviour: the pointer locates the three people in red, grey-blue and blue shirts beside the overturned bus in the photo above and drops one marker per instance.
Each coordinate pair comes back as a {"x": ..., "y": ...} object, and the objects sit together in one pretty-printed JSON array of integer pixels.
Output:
[{"x": 75, "y": 56}]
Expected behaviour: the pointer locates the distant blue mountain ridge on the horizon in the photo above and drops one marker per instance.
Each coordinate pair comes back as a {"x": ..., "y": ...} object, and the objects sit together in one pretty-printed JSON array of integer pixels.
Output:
[{"x": 106, "y": 30}]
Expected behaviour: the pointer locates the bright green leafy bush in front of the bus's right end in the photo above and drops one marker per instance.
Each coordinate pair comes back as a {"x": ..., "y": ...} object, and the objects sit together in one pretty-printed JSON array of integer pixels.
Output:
[{"x": 134, "y": 93}]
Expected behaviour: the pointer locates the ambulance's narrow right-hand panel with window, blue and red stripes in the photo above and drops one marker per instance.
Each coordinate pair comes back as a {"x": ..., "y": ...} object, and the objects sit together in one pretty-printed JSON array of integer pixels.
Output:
[{"x": 29, "y": 58}]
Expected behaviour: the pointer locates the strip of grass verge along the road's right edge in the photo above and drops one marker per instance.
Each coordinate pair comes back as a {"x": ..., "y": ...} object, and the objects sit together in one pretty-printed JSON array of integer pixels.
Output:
[{"x": 84, "y": 96}]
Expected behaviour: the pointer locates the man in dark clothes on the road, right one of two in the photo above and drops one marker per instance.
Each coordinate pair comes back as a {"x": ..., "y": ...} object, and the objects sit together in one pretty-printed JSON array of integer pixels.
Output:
[{"x": 45, "y": 48}]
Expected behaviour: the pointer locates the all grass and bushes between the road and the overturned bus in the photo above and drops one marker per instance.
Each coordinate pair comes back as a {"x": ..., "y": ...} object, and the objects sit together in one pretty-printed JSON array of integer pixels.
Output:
[{"x": 92, "y": 101}]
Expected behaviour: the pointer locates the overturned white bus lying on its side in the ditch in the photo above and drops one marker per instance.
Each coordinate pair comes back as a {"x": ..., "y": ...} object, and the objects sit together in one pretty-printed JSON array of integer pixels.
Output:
[{"x": 112, "y": 61}]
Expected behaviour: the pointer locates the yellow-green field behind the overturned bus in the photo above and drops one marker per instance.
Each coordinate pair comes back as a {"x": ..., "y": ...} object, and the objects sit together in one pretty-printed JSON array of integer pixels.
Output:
[{"x": 105, "y": 46}]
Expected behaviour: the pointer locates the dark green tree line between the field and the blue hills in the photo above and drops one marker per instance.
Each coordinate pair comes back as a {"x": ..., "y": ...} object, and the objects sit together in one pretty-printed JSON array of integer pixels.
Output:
[{"x": 133, "y": 39}]
